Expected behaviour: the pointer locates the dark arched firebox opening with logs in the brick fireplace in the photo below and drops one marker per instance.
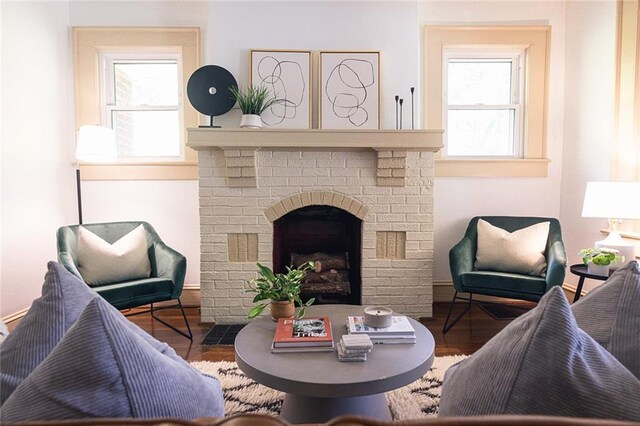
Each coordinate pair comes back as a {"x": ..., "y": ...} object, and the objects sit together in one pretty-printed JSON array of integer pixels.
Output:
[{"x": 332, "y": 239}]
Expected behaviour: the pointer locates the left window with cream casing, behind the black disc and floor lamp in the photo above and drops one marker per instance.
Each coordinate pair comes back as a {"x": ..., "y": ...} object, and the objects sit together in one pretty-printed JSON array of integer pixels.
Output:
[{"x": 133, "y": 80}]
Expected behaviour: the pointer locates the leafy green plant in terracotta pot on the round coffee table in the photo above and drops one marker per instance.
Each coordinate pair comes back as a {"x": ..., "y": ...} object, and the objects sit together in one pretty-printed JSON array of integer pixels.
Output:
[{"x": 281, "y": 291}]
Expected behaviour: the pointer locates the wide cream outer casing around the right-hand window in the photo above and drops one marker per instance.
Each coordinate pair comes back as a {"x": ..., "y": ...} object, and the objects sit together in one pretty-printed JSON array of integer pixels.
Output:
[{"x": 536, "y": 40}]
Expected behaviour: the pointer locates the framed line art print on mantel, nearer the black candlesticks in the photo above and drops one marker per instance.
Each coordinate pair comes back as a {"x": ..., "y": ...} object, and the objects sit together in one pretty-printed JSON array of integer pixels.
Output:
[{"x": 349, "y": 90}]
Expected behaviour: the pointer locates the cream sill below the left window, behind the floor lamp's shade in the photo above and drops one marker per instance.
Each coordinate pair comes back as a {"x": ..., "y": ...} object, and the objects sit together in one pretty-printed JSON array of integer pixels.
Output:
[{"x": 139, "y": 172}]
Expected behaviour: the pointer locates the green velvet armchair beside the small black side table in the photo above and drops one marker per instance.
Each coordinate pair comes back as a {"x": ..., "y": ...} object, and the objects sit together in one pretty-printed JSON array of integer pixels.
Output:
[{"x": 466, "y": 279}]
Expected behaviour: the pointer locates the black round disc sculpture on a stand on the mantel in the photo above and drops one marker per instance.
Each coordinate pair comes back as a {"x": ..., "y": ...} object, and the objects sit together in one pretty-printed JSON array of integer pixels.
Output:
[{"x": 208, "y": 91}]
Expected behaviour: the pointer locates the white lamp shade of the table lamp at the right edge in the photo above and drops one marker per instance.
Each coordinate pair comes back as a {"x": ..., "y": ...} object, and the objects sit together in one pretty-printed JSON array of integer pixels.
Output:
[{"x": 612, "y": 200}]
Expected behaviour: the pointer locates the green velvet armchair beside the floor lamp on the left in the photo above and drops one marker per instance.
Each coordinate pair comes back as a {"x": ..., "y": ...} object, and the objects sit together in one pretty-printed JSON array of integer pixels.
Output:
[{"x": 168, "y": 269}]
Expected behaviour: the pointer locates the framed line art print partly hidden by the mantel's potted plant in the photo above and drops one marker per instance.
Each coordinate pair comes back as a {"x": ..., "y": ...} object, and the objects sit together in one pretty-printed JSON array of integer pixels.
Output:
[{"x": 287, "y": 75}]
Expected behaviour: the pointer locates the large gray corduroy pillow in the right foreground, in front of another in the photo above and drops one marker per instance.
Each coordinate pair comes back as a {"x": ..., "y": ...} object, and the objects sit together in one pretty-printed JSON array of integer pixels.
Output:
[{"x": 542, "y": 363}]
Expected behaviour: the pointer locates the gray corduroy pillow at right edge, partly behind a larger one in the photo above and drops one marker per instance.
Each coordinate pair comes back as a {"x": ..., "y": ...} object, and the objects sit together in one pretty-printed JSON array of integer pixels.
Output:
[{"x": 610, "y": 314}]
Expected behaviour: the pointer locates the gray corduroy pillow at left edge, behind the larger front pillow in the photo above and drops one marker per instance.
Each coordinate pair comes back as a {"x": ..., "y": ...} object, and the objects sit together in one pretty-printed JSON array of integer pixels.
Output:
[{"x": 64, "y": 296}]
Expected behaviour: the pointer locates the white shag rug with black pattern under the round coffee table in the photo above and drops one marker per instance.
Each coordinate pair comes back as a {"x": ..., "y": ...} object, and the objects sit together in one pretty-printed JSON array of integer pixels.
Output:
[{"x": 242, "y": 395}]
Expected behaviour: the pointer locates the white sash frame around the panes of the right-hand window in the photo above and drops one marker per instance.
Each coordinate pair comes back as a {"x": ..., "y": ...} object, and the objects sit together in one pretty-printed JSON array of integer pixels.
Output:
[{"x": 515, "y": 55}]
